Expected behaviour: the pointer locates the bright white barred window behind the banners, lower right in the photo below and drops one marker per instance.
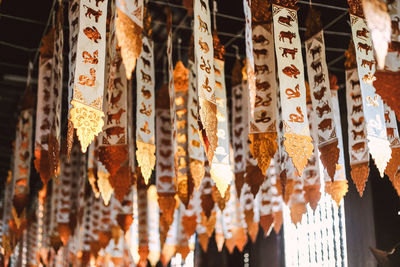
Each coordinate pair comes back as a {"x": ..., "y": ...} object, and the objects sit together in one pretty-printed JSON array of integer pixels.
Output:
[{"x": 320, "y": 239}]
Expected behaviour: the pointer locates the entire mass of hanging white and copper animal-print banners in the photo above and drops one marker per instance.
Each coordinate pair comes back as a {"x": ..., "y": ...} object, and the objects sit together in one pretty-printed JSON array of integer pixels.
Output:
[{"x": 212, "y": 173}]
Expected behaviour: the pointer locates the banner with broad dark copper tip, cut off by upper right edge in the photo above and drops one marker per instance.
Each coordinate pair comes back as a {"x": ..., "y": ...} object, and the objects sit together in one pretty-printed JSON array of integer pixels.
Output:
[{"x": 386, "y": 83}]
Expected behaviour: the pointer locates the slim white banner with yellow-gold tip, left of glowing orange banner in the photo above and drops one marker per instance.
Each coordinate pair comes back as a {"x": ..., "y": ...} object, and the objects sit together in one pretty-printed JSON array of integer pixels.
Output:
[{"x": 145, "y": 78}]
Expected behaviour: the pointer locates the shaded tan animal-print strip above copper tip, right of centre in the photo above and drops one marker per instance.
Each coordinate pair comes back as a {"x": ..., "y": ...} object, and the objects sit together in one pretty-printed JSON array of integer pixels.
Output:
[{"x": 264, "y": 117}]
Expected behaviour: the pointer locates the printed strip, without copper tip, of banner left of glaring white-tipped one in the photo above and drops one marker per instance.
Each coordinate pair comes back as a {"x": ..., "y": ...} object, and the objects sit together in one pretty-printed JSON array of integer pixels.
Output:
[{"x": 357, "y": 131}]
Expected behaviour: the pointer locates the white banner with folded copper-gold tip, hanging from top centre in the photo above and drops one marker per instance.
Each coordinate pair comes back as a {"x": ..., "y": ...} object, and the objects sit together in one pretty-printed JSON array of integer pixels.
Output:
[{"x": 204, "y": 54}]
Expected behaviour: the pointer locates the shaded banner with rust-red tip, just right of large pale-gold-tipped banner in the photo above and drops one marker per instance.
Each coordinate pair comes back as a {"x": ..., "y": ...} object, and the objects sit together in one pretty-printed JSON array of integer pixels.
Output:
[{"x": 113, "y": 141}]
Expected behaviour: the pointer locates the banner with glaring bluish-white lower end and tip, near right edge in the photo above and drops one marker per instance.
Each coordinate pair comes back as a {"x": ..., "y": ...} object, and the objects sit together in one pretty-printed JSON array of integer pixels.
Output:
[{"x": 378, "y": 144}]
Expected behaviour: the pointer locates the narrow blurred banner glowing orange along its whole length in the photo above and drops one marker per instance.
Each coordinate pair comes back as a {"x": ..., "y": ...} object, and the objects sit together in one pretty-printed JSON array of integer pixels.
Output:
[{"x": 184, "y": 181}]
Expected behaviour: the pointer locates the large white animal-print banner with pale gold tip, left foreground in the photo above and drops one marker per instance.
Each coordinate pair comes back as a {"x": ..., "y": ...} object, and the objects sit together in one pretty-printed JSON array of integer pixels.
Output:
[{"x": 87, "y": 100}]
